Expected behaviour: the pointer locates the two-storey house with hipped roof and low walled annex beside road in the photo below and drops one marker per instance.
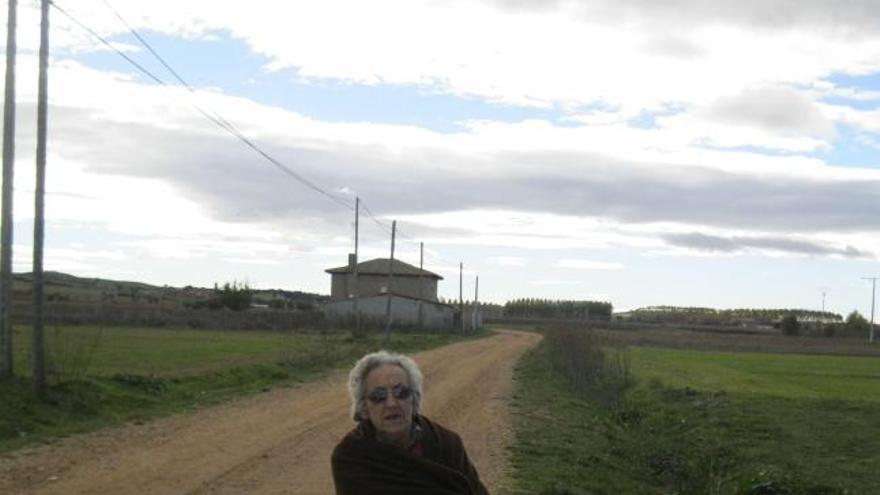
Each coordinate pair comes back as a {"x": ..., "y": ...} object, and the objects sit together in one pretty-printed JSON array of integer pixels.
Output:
[{"x": 413, "y": 293}]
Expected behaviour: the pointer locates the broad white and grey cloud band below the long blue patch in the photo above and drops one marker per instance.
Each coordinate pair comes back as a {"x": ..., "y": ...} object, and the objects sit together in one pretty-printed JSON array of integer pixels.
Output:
[{"x": 167, "y": 170}]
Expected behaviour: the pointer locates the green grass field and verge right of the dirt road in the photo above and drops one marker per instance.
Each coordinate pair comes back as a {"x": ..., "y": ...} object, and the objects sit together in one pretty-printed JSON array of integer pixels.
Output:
[{"x": 689, "y": 422}]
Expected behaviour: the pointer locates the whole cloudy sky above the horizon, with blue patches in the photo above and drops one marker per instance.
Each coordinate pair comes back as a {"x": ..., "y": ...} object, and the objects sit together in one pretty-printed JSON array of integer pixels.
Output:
[{"x": 690, "y": 152}]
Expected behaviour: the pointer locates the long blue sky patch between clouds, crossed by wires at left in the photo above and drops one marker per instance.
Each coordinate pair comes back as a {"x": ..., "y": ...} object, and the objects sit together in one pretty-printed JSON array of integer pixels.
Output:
[{"x": 229, "y": 64}]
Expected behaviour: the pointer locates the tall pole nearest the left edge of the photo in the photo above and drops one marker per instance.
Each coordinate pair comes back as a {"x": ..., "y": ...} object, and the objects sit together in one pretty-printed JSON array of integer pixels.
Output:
[{"x": 6, "y": 370}]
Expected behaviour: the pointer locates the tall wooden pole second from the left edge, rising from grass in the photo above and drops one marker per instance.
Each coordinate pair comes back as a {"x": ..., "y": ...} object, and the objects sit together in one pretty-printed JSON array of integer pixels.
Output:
[{"x": 39, "y": 201}]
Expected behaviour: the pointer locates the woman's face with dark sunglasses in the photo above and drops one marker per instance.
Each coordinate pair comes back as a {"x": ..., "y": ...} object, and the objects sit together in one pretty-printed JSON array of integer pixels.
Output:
[{"x": 392, "y": 417}]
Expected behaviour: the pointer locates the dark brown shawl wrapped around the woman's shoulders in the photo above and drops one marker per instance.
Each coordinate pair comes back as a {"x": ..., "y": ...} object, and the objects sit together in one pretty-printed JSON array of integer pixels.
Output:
[{"x": 364, "y": 466}]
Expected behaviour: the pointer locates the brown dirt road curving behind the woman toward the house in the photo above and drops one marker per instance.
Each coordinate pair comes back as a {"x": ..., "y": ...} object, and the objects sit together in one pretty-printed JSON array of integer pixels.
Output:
[{"x": 276, "y": 442}]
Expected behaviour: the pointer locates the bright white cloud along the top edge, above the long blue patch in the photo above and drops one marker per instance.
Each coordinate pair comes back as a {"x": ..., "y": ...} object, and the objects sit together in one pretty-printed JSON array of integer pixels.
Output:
[{"x": 574, "y": 54}]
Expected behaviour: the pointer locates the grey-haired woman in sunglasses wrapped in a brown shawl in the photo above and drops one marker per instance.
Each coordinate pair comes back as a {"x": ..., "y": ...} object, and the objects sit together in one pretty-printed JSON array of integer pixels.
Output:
[{"x": 394, "y": 450}]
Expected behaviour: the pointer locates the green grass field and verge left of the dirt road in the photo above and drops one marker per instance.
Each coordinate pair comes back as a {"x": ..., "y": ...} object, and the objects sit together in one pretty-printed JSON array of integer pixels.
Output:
[{"x": 100, "y": 377}]
